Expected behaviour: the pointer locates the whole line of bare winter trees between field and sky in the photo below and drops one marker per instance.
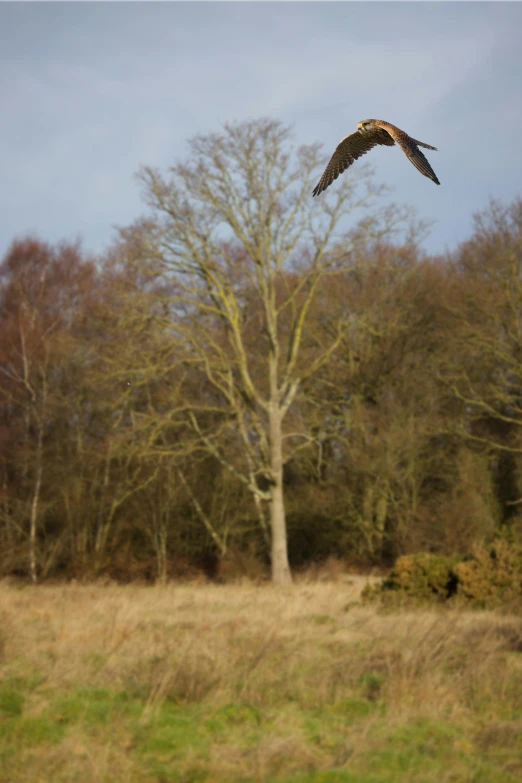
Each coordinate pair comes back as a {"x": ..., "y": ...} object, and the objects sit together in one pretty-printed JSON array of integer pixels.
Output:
[{"x": 242, "y": 372}]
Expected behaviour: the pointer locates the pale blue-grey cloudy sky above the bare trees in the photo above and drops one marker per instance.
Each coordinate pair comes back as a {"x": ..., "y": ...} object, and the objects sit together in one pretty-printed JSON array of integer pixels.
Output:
[{"x": 90, "y": 91}]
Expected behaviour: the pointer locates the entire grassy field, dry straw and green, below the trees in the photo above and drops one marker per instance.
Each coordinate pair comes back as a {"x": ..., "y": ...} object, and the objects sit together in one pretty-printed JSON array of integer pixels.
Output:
[{"x": 247, "y": 683}]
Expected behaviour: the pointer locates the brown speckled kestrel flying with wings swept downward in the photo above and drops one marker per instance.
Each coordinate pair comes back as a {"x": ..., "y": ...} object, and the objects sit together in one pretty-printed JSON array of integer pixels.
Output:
[{"x": 369, "y": 133}]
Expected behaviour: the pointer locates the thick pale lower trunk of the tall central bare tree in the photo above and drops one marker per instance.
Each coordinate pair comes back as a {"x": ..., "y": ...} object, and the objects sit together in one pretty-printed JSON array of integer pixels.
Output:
[{"x": 281, "y": 574}]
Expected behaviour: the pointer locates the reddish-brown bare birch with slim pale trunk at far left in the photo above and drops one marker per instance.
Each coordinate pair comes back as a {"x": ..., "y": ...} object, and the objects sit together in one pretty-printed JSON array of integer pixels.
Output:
[{"x": 35, "y": 319}]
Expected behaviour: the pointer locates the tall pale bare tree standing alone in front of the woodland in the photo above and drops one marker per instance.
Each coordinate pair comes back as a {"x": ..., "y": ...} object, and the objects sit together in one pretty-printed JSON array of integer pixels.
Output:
[{"x": 246, "y": 250}]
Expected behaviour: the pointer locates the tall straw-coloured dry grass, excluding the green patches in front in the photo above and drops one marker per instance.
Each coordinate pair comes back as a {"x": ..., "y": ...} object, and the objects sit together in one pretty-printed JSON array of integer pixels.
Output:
[{"x": 308, "y": 647}]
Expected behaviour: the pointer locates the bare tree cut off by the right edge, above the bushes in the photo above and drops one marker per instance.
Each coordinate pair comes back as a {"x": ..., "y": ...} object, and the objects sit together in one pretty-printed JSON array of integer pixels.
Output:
[{"x": 486, "y": 368}]
